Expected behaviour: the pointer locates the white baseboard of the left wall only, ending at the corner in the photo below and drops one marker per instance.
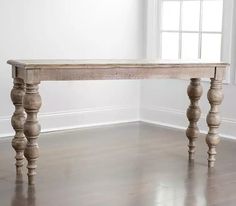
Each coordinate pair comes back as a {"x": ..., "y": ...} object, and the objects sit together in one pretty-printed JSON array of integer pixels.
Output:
[{"x": 78, "y": 118}]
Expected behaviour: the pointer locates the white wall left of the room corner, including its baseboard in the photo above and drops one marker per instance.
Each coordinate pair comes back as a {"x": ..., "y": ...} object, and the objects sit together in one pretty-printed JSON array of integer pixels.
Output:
[{"x": 73, "y": 29}]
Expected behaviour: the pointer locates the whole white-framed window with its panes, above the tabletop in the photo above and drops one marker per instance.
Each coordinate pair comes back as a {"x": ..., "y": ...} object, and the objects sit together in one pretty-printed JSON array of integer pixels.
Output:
[{"x": 189, "y": 29}]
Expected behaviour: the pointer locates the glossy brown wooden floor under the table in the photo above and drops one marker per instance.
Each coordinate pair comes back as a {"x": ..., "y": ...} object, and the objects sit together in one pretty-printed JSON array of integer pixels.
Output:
[{"x": 135, "y": 164}]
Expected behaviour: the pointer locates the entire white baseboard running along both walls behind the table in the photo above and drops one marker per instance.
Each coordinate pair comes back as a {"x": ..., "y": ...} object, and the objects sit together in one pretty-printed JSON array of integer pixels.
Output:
[{"x": 111, "y": 115}]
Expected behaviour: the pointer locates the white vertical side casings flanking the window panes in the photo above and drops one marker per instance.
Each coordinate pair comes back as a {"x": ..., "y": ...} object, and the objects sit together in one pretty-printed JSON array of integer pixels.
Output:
[{"x": 153, "y": 51}]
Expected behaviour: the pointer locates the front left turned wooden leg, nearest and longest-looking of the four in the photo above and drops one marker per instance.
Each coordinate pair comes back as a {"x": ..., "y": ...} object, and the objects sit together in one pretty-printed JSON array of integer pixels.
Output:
[{"x": 32, "y": 104}]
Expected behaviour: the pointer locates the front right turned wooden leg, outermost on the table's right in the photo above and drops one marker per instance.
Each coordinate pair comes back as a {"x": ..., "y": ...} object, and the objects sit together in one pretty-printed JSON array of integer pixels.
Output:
[{"x": 215, "y": 97}]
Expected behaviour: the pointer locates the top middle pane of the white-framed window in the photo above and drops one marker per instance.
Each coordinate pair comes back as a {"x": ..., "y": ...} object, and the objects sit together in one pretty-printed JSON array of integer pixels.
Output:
[{"x": 191, "y": 15}]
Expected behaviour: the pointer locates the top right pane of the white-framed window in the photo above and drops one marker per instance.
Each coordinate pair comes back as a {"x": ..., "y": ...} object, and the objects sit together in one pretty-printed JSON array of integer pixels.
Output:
[{"x": 212, "y": 15}]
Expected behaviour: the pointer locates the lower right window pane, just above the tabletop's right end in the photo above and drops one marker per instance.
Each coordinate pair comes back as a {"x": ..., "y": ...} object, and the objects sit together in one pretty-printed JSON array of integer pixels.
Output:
[{"x": 211, "y": 46}]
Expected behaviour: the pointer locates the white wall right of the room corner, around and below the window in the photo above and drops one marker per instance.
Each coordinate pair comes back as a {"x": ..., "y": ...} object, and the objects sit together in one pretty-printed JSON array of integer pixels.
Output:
[{"x": 165, "y": 101}]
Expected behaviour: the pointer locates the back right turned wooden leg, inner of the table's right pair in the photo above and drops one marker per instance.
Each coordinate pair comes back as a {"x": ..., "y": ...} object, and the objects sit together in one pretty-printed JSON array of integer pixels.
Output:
[{"x": 193, "y": 114}]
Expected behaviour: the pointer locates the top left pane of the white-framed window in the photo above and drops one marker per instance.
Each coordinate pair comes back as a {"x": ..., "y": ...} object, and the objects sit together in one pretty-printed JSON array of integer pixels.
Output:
[{"x": 170, "y": 15}]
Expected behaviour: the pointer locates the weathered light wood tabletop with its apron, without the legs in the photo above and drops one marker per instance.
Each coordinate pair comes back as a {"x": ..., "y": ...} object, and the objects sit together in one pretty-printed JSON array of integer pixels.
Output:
[{"x": 45, "y": 70}]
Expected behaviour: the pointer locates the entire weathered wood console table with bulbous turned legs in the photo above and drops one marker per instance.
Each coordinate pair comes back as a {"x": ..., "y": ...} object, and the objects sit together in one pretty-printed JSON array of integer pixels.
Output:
[{"x": 28, "y": 74}]
